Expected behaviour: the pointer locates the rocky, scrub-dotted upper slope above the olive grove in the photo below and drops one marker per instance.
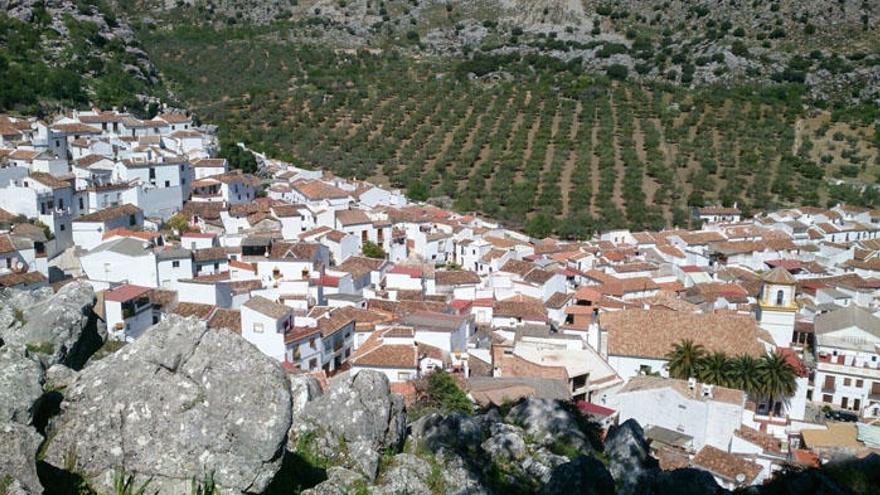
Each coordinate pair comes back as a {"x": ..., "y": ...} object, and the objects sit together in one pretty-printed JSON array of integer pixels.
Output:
[{"x": 829, "y": 45}]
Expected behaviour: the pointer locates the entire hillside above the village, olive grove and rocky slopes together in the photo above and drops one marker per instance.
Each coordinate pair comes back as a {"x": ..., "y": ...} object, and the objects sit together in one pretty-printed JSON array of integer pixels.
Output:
[{"x": 558, "y": 116}]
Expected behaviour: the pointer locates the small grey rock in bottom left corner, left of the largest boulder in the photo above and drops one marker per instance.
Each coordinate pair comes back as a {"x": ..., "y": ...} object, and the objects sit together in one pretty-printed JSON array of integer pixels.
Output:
[{"x": 18, "y": 456}]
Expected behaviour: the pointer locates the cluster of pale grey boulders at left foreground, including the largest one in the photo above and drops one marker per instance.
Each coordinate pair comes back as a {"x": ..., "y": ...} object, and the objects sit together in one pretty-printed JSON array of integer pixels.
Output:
[{"x": 182, "y": 404}]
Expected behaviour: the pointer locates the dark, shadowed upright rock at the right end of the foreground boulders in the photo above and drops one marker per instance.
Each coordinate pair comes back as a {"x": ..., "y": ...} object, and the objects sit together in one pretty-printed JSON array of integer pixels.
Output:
[{"x": 629, "y": 455}]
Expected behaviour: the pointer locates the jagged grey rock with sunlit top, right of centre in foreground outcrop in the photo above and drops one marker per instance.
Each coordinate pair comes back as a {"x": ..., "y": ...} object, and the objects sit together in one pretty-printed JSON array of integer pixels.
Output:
[{"x": 547, "y": 422}]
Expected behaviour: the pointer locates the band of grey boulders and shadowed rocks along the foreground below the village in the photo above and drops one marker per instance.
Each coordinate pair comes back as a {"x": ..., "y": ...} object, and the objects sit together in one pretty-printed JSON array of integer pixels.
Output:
[{"x": 190, "y": 410}]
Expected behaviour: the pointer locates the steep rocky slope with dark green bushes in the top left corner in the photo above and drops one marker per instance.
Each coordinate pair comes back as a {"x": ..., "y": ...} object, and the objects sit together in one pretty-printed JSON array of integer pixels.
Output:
[{"x": 56, "y": 54}]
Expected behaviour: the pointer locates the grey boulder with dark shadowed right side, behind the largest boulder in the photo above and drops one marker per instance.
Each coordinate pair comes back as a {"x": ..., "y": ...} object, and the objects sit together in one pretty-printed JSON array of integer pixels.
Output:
[{"x": 61, "y": 328}]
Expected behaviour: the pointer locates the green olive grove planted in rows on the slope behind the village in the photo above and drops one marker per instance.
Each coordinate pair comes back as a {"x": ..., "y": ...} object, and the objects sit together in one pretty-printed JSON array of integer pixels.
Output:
[{"x": 520, "y": 137}]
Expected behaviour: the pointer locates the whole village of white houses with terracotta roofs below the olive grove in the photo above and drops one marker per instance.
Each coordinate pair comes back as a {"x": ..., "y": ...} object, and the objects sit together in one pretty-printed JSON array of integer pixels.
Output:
[{"x": 332, "y": 276}]
